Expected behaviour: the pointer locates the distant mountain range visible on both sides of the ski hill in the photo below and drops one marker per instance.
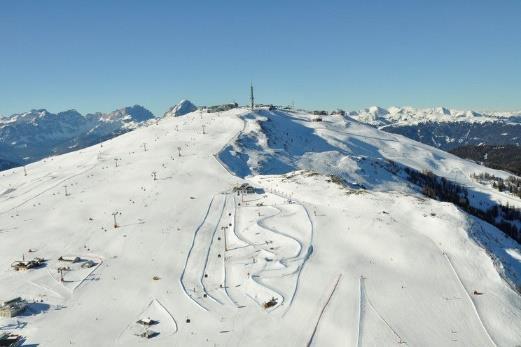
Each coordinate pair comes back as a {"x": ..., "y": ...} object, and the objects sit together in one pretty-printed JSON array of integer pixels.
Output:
[{"x": 30, "y": 136}]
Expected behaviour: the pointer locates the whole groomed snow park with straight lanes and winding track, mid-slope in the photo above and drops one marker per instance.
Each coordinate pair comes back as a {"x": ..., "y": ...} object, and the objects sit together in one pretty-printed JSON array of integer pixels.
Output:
[{"x": 262, "y": 263}]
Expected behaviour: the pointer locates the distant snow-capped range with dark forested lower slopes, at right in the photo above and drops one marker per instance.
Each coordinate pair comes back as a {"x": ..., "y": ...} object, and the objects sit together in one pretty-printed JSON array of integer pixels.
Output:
[{"x": 444, "y": 128}]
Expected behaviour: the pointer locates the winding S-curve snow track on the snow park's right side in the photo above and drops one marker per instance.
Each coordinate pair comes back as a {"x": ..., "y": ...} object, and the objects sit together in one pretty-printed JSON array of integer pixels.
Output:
[{"x": 261, "y": 218}]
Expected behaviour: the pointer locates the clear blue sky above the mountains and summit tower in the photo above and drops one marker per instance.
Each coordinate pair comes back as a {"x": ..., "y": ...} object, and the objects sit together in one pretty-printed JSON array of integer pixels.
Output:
[{"x": 100, "y": 55}]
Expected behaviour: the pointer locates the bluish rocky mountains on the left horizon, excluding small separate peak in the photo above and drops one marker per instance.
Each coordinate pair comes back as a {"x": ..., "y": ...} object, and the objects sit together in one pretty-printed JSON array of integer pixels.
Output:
[{"x": 30, "y": 136}]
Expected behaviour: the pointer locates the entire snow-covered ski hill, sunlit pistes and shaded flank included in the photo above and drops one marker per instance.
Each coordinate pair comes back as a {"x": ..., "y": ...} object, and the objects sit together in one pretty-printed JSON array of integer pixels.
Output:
[{"x": 303, "y": 261}]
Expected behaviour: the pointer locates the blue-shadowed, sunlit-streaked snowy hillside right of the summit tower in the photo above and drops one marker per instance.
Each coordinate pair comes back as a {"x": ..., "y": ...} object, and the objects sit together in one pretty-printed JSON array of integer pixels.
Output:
[{"x": 279, "y": 142}]
